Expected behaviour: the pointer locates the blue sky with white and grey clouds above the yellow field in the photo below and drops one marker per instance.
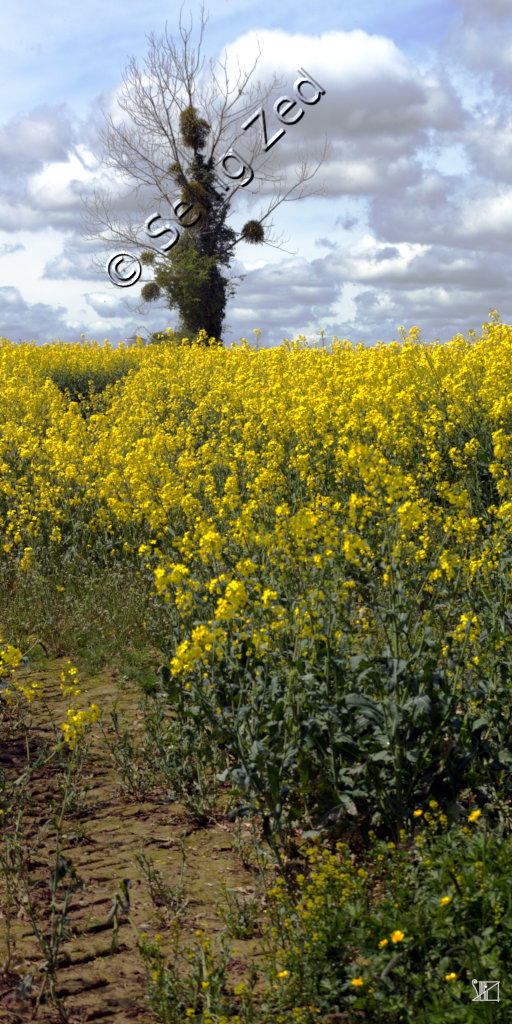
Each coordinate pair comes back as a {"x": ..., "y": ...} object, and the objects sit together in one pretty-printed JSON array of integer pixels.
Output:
[{"x": 413, "y": 225}]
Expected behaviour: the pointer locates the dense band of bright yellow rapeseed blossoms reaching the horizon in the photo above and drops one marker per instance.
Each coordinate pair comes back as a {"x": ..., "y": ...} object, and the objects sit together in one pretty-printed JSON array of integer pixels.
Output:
[{"x": 258, "y": 482}]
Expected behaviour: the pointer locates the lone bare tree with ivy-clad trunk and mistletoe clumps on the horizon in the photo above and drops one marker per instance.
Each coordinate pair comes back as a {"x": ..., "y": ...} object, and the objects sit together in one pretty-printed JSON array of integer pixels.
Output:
[{"x": 147, "y": 151}]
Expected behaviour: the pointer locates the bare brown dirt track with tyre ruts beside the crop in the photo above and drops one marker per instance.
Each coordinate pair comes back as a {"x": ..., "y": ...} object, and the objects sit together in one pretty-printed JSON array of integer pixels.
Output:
[{"x": 102, "y": 986}]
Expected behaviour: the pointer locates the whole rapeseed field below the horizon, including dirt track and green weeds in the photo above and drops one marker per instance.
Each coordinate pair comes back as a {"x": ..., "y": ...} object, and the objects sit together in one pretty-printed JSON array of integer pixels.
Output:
[{"x": 302, "y": 560}]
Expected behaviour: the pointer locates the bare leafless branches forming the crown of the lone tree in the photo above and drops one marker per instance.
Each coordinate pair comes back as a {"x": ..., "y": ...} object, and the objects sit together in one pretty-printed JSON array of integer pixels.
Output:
[{"x": 142, "y": 147}]
